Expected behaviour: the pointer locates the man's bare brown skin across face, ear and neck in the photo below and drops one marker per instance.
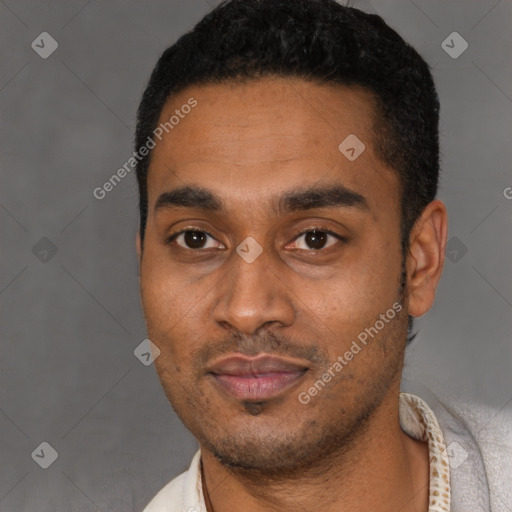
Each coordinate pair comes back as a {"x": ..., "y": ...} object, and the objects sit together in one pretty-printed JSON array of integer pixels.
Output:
[{"x": 249, "y": 143}]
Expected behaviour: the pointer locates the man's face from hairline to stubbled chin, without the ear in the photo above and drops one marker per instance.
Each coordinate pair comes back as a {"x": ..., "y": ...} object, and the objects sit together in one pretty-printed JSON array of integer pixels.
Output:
[{"x": 215, "y": 311}]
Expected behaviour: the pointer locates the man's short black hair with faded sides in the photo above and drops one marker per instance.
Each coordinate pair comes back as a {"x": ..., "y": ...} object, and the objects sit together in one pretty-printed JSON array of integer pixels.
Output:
[{"x": 320, "y": 41}]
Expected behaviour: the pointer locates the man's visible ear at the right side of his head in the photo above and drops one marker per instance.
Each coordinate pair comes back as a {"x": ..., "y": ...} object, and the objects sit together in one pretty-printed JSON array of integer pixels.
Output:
[{"x": 425, "y": 259}]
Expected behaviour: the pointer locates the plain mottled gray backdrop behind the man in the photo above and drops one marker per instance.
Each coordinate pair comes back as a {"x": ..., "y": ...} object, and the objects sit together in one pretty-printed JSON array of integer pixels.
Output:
[{"x": 70, "y": 321}]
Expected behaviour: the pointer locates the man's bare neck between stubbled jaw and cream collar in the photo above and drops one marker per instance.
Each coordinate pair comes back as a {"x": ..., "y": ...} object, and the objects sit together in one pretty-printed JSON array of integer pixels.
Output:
[{"x": 383, "y": 470}]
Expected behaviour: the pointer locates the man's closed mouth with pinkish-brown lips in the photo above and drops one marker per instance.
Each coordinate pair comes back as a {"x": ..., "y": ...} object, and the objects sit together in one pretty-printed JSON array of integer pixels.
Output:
[{"x": 256, "y": 378}]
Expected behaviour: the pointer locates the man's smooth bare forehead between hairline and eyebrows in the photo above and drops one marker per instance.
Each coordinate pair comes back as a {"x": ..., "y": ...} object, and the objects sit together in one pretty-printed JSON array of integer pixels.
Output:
[{"x": 267, "y": 134}]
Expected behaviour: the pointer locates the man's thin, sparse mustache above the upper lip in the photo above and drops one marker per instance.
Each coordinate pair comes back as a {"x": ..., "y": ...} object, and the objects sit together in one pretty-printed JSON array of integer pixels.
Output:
[{"x": 268, "y": 342}]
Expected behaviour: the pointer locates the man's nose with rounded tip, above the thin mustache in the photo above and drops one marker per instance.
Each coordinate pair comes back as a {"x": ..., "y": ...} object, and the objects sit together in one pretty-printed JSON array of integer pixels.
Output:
[{"x": 252, "y": 295}]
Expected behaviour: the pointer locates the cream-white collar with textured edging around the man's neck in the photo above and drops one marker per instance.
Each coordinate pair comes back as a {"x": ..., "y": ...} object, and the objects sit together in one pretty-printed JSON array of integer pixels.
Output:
[{"x": 184, "y": 493}]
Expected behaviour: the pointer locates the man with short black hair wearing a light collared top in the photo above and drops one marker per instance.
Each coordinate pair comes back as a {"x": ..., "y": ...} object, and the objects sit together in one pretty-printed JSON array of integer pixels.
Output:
[{"x": 289, "y": 233}]
